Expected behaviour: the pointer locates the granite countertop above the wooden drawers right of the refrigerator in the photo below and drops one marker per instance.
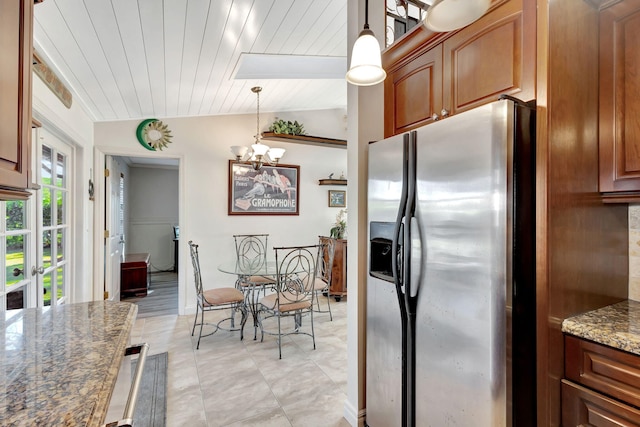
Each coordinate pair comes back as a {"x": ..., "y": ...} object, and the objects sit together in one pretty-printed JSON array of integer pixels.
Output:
[{"x": 616, "y": 325}]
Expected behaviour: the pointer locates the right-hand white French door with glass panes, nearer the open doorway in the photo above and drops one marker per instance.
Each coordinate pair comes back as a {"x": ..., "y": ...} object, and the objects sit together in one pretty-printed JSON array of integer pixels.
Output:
[{"x": 53, "y": 220}]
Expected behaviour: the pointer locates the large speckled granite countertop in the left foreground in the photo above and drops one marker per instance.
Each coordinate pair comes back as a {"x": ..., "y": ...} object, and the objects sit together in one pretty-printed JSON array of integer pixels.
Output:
[{"x": 60, "y": 364}]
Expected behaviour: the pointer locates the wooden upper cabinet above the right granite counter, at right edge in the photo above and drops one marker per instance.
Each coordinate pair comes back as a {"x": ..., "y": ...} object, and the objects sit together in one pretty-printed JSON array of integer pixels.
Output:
[{"x": 619, "y": 113}]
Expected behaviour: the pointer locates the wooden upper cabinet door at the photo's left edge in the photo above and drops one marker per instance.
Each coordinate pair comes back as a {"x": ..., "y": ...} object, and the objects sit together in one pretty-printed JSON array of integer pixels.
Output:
[{"x": 15, "y": 102}]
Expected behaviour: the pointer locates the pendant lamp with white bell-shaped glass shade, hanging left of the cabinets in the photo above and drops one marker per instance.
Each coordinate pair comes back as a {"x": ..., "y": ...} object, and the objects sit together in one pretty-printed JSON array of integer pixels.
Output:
[{"x": 366, "y": 64}]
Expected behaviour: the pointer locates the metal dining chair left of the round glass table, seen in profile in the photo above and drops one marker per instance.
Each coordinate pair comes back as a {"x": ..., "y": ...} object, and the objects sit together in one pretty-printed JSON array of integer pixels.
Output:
[{"x": 226, "y": 298}]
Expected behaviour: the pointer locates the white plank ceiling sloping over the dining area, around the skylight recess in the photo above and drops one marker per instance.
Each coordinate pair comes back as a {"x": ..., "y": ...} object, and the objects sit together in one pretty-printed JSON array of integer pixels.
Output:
[{"x": 130, "y": 59}]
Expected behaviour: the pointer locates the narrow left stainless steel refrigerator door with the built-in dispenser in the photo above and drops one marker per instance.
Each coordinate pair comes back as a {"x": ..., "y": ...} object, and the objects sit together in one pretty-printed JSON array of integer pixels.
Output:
[{"x": 383, "y": 372}]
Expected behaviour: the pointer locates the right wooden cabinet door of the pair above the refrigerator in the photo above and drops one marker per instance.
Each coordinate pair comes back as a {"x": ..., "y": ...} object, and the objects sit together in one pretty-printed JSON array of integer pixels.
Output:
[{"x": 495, "y": 55}]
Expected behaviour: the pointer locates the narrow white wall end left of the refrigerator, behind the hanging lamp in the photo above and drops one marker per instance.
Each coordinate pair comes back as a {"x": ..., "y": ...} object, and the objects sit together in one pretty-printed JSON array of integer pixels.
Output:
[{"x": 366, "y": 120}]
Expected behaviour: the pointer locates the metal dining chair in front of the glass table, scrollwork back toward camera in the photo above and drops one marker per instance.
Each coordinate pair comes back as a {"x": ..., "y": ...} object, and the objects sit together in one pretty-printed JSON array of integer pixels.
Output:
[{"x": 295, "y": 276}]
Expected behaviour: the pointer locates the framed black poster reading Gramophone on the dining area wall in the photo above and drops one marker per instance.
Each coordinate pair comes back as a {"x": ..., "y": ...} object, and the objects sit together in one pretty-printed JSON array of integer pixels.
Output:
[{"x": 271, "y": 190}]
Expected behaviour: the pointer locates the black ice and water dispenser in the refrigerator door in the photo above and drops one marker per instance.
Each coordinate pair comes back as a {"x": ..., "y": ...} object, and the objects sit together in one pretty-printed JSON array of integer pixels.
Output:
[{"x": 381, "y": 256}]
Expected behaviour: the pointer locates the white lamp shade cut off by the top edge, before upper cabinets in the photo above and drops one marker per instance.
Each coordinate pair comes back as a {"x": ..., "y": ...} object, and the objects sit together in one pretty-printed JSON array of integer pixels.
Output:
[{"x": 449, "y": 15}]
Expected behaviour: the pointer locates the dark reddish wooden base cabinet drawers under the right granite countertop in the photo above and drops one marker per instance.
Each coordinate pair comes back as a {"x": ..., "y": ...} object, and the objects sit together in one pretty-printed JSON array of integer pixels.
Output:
[{"x": 601, "y": 385}]
